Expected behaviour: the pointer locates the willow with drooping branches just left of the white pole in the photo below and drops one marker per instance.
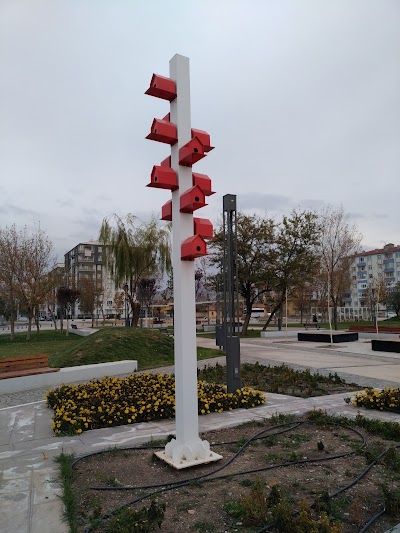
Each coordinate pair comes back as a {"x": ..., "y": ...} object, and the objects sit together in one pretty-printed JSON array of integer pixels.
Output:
[{"x": 134, "y": 251}]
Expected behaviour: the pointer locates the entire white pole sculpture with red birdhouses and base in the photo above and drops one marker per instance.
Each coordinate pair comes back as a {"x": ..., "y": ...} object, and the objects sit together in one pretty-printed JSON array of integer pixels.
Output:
[{"x": 189, "y": 191}]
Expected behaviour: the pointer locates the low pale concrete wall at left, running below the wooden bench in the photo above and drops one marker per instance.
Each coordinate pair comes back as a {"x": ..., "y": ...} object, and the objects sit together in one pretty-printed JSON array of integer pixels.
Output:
[{"x": 67, "y": 375}]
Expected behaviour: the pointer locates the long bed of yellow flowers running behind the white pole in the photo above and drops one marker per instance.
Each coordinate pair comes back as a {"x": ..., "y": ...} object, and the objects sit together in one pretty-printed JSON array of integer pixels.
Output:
[{"x": 137, "y": 398}]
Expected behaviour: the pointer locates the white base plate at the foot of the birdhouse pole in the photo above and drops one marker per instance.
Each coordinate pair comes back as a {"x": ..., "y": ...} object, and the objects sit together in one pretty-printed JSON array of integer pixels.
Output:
[{"x": 186, "y": 455}]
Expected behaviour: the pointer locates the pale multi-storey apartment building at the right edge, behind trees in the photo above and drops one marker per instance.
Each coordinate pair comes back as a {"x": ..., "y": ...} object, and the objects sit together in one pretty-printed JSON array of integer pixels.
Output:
[{"x": 370, "y": 266}]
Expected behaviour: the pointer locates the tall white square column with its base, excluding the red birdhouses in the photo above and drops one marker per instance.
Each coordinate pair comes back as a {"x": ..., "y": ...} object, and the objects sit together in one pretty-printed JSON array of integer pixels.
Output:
[{"x": 187, "y": 449}]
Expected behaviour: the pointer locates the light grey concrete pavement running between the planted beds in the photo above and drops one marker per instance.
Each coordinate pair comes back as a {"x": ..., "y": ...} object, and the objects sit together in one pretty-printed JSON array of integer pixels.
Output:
[{"x": 29, "y": 490}]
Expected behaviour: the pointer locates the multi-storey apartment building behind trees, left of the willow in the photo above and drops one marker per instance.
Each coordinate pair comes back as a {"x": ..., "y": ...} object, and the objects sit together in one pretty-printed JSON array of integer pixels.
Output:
[{"x": 87, "y": 260}]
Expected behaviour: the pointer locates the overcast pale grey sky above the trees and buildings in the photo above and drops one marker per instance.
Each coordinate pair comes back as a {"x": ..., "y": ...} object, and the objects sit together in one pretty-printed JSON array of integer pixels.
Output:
[{"x": 301, "y": 98}]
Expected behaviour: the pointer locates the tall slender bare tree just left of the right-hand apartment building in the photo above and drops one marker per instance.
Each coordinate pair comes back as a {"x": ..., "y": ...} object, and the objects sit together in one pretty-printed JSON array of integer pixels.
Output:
[{"x": 339, "y": 241}]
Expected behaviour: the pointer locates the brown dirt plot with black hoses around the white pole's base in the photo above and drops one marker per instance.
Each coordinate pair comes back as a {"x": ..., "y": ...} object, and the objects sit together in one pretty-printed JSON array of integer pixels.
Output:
[{"x": 297, "y": 458}]
